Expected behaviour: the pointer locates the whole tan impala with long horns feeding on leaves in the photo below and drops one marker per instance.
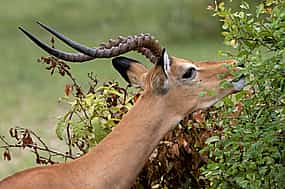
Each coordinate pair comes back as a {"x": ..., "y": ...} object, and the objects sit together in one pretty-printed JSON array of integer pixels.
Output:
[{"x": 170, "y": 91}]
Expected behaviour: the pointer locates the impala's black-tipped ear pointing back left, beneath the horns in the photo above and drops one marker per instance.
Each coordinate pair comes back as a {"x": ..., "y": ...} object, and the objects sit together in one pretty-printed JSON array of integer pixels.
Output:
[{"x": 131, "y": 70}]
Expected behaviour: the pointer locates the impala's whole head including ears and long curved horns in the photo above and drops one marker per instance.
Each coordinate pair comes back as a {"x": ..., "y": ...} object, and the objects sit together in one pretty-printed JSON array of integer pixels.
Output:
[{"x": 177, "y": 83}]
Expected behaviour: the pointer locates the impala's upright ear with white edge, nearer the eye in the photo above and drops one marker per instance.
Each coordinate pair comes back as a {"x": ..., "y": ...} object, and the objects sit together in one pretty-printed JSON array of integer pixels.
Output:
[{"x": 160, "y": 82}]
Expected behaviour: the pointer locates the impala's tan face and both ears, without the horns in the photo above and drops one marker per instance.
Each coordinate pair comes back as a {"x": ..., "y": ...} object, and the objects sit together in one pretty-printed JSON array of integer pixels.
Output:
[{"x": 183, "y": 85}]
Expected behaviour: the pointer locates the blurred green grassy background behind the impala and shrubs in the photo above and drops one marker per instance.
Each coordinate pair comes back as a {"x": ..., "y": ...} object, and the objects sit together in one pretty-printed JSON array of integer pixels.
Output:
[{"x": 29, "y": 95}]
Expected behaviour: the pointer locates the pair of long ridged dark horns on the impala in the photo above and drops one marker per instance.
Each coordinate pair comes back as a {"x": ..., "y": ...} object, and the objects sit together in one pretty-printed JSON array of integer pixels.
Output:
[{"x": 143, "y": 43}]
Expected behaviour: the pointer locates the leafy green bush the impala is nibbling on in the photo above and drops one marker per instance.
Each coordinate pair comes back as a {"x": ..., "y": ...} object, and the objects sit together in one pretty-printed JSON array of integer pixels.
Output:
[{"x": 250, "y": 152}]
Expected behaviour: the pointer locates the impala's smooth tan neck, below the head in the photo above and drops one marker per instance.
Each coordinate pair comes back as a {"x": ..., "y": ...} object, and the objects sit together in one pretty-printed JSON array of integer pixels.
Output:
[{"x": 117, "y": 160}]
